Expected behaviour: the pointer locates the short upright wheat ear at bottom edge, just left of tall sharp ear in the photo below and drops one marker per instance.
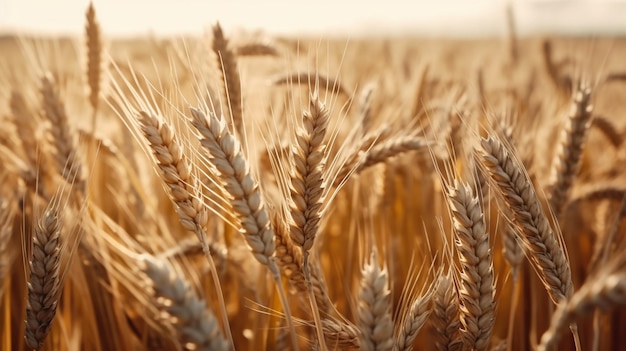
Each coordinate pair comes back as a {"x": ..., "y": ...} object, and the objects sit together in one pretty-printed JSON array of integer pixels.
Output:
[{"x": 445, "y": 315}]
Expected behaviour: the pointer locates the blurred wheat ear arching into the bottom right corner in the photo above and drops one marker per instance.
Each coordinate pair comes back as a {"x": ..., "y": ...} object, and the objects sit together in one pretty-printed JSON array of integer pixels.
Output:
[{"x": 605, "y": 292}]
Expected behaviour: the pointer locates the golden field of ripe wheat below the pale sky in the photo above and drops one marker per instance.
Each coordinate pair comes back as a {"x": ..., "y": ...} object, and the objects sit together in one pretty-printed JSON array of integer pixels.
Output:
[{"x": 209, "y": 194}]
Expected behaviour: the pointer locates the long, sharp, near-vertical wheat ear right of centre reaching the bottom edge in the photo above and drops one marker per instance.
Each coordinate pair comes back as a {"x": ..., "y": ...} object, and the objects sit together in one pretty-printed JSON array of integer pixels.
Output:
[{"x": 477, "y": 290}]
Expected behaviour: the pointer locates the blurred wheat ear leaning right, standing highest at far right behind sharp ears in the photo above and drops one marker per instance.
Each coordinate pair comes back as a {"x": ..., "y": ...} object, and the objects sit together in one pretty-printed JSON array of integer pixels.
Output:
[{"x": 567, "y": 162}]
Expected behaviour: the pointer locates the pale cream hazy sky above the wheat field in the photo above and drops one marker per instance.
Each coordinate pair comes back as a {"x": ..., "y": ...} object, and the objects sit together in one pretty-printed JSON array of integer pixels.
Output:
[{"x": 430, "y": 17}]
